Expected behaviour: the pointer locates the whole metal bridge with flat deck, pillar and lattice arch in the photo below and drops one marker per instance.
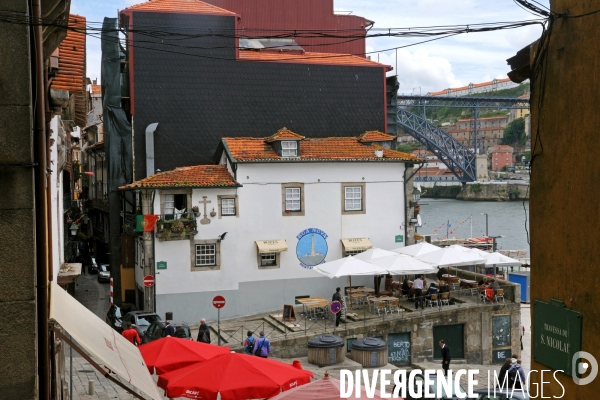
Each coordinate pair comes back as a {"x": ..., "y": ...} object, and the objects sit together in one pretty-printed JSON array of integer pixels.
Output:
[{"x": 460, "y": 159}]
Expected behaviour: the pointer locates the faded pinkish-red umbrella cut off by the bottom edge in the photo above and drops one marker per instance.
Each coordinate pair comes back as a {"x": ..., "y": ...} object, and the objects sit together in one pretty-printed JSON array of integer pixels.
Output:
[{"x": 323, "y": 389}]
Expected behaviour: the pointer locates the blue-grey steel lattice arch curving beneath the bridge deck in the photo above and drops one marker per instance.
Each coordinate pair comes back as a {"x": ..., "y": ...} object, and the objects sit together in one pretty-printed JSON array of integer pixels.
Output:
[{"x": 459, "y": 159}]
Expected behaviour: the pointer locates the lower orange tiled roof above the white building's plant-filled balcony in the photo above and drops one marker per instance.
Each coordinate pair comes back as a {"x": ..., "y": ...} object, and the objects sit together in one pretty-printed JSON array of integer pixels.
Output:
[{"x": 195, "y": 176}]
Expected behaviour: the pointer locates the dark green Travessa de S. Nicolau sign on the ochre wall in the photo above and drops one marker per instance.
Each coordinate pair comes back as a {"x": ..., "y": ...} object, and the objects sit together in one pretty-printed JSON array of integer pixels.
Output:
[{"x": 556, "y": 335}]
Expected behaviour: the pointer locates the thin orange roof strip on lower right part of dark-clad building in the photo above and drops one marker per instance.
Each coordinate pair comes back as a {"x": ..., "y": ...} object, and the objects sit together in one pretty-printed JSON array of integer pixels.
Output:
[{"x": 309, "y": 58}]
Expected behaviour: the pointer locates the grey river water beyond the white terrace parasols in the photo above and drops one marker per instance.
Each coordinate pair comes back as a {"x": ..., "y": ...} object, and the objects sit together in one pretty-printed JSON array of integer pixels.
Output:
[{"x": 506, "y": 218}]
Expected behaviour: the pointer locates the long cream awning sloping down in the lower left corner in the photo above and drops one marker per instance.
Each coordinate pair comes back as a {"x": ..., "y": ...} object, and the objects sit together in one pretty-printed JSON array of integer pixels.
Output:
[{"x": 102, "y": 342}]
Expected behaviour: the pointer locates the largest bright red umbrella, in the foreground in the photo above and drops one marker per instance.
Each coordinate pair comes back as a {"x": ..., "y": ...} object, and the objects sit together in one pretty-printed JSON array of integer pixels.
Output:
[{"x": 233, "y": 376}]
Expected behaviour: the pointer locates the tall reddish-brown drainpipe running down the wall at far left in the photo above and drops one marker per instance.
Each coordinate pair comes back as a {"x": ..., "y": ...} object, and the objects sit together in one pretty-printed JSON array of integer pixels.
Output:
[{"x": 41, "y": 221}]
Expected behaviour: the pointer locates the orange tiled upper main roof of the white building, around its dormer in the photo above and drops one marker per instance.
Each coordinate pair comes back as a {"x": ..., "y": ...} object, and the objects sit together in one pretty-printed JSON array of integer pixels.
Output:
[{"x": 324, "y": 149}]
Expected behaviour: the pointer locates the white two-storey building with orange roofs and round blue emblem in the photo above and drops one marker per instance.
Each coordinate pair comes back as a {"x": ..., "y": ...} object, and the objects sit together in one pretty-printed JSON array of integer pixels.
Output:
[{"x": 273, "y": 208}]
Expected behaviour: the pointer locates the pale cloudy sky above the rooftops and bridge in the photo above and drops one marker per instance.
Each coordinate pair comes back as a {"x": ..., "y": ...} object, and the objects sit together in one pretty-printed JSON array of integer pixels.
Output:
[{"x": 450, "y": 62}]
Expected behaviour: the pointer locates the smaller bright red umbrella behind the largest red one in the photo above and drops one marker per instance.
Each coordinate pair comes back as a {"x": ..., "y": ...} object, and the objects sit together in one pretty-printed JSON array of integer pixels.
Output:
[{"x": 170, "y": 353}]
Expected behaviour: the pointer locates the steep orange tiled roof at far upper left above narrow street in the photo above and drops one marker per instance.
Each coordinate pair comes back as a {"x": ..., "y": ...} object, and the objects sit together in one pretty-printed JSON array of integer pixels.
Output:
[{"x": 71, "y": 66}]
